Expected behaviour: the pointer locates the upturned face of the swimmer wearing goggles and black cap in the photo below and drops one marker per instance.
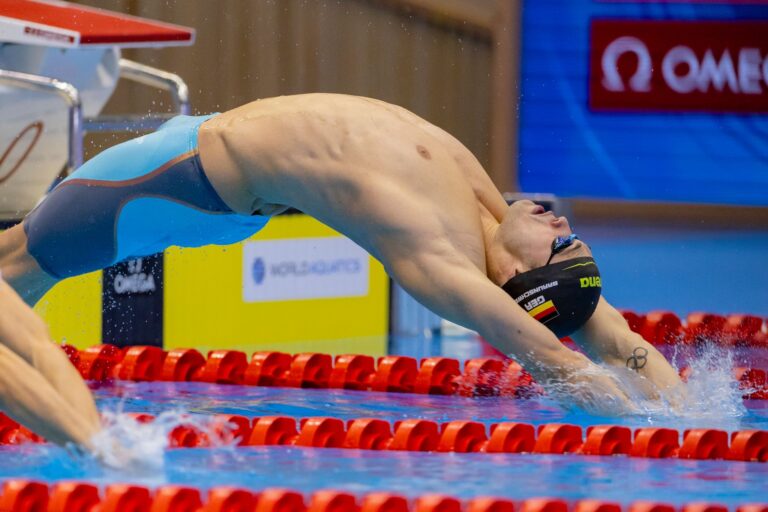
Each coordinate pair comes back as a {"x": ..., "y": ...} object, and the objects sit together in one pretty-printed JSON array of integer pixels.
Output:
[{"x": 527, "y": 232}]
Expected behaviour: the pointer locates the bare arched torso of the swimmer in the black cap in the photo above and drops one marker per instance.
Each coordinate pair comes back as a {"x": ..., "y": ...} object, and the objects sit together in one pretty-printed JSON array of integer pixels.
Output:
[{"x": 375, "y": 172}]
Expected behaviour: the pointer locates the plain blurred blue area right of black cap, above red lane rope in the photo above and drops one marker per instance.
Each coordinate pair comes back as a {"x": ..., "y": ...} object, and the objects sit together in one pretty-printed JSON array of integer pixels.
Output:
[{"x": 684, "y": 270}]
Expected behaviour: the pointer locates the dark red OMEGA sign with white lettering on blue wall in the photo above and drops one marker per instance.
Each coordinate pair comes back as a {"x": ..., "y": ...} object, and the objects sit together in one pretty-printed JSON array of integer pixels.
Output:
[{"x": 667, "y": 65}]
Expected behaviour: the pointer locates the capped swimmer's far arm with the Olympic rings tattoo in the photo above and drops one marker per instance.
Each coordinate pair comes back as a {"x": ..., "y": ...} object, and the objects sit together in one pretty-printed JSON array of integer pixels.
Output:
[{"x": 607, "y": 337}]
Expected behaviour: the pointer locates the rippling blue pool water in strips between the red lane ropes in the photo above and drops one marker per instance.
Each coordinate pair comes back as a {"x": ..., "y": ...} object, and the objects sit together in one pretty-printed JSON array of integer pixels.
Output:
[{"x": 516, "y": 476}]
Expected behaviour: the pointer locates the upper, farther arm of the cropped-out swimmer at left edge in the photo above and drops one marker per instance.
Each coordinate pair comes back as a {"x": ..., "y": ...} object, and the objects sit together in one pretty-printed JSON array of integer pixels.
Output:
[{"x": 25, "y": 334}]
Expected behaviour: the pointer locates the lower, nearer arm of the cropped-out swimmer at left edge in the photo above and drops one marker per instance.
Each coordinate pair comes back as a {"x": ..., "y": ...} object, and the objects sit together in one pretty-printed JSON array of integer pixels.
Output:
[{"x": 29, "y": 399}]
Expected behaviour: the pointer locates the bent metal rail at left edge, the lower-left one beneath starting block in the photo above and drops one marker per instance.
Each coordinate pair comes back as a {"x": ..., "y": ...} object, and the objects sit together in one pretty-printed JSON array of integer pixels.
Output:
[{"x": 71, "y": 96}]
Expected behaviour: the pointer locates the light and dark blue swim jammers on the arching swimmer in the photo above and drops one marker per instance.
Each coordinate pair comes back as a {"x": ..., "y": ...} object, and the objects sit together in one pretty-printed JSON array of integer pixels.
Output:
[{"x": 134, "y": 199}]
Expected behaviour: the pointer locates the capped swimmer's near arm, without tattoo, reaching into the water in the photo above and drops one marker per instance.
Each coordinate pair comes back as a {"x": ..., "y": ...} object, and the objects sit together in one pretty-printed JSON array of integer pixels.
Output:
[{"x": 447, "y": 282}]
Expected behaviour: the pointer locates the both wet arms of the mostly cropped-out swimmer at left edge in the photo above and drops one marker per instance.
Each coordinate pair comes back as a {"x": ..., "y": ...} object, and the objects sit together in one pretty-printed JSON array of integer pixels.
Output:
[{"x": 39, "y": 387}]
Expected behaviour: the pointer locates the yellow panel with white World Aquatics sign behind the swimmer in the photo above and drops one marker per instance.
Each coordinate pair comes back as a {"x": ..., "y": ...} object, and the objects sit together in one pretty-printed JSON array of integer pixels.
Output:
[{"x": 206, "y": 306}]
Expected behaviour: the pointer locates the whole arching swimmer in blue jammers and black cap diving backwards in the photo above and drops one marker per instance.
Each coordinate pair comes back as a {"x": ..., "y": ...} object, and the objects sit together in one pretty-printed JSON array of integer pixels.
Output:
[{"x": 401, "y": 188}]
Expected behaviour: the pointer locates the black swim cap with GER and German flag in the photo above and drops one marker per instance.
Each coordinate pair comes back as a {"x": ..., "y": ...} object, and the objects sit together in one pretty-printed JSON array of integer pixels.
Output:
[{"x": 562, "y": 295}]
